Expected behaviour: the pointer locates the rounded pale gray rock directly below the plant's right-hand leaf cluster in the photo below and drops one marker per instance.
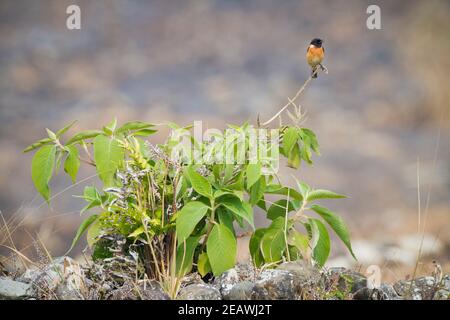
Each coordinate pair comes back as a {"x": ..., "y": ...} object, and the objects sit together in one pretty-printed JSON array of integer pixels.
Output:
[{"x": 275, "y": 284}]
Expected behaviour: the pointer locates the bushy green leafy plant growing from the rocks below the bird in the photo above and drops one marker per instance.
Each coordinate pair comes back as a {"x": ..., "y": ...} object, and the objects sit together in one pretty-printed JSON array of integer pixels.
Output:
[{"x": 182, "y": 212}]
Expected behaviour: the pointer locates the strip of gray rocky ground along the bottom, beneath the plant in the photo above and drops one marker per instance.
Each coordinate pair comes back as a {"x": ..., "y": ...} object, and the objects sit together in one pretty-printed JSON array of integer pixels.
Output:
[{"x": 66, "y": 279}]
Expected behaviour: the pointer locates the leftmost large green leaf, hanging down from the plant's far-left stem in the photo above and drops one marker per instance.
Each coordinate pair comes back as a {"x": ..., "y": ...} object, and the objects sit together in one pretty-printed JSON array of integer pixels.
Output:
[{"x": 42, "y": 169}]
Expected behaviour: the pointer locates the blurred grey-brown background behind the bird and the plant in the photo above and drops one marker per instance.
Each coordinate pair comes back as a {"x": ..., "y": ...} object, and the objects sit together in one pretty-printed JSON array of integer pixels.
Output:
[{"x": 381, "y": 114}]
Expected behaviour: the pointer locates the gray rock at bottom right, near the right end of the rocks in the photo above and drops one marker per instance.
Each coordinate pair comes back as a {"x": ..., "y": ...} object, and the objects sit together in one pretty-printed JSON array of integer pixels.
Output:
[{"x": 422, "y": 288}]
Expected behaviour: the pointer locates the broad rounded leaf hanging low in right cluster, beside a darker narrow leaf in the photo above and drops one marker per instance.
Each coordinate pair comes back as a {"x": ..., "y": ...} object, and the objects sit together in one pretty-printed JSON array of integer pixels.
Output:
[{"x": 273, "y": 242}]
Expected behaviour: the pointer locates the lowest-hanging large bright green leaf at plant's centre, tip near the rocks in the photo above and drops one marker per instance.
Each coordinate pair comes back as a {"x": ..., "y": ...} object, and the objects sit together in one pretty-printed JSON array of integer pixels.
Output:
[{"x": 221, "y": 247}]
